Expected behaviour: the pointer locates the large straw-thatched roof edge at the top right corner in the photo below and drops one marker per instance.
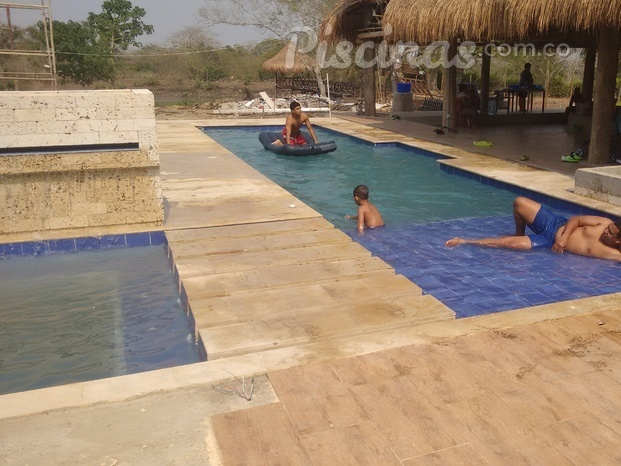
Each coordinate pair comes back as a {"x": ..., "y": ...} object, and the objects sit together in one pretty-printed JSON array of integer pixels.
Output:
[{"x": 571, "y": 21}]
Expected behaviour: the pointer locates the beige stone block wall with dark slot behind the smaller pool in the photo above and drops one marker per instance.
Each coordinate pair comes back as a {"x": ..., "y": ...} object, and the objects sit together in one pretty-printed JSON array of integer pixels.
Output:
[{"x": 78, "y": 159}]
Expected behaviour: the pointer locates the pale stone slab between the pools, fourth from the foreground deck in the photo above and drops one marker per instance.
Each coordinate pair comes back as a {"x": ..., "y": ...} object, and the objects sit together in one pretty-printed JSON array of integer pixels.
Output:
[{"x": 223, "y": 263}]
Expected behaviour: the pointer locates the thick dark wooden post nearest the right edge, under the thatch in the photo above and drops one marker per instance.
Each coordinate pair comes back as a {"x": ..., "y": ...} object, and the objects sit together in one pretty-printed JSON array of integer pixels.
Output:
[{"x": 604, "y": 102}]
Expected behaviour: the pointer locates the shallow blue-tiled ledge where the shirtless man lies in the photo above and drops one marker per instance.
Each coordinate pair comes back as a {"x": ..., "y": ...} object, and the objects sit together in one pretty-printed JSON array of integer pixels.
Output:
[{"x": 472, "y": 280}]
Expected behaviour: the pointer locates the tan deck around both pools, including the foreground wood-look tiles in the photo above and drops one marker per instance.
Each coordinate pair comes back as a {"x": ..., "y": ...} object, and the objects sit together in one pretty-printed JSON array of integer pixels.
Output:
[{"x": 352, "y": 363}]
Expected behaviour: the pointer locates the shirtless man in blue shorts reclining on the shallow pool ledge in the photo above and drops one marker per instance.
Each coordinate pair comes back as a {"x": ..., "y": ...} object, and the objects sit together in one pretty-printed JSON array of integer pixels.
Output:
[{"x": 587, "y": 235}]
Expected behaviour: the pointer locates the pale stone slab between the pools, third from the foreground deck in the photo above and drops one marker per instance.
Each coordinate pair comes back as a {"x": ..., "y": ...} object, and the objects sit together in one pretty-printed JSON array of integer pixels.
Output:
[{"x": 285, "y": 275}]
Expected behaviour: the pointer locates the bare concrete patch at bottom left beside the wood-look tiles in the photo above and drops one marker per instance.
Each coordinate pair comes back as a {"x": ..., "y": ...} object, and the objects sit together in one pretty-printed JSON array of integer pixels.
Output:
[{"x": 161, "y": 429}]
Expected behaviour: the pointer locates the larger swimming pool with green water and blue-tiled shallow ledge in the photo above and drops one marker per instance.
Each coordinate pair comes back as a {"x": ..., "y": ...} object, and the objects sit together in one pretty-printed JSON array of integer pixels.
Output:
[{"x": 425, "y": 203}]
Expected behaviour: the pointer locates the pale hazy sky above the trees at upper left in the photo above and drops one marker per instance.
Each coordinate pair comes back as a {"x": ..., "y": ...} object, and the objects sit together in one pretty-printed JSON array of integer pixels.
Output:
[{"x": 166, "y": 17}]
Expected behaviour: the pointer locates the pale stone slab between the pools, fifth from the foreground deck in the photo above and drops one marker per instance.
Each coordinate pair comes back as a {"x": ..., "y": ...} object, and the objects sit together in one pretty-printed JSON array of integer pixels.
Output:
[{"x": 203, "y": 248}]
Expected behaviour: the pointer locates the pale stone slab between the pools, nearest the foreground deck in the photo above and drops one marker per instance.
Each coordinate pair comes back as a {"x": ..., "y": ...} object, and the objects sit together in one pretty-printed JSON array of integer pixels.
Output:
[{"x": 326, "y": 323}]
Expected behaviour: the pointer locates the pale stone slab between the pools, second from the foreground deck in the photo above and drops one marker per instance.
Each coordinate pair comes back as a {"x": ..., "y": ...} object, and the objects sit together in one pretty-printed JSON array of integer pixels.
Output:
[{"x": 243, "y": 305}]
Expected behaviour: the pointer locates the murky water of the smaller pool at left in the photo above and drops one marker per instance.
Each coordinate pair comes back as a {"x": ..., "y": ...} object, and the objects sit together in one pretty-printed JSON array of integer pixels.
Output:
[{"x": 88, "y": 315}]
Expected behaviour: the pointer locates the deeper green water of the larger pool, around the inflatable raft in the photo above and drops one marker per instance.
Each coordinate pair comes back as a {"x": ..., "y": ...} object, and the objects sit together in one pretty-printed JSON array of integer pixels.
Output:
[{"x": 406, "y": 187}]
